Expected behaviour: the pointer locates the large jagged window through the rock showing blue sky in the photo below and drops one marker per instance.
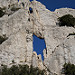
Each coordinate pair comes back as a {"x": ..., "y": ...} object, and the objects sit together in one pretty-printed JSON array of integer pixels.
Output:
[{"x": 39, "y": 45}]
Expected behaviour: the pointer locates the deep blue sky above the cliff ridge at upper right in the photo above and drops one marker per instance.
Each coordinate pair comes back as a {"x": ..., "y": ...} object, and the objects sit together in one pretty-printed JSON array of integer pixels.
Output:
[{"x": 54, "y": 4}]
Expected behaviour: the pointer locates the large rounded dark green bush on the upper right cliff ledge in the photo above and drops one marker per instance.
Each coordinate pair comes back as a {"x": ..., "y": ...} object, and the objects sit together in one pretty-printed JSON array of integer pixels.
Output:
[{"x": 67, "y": 20}]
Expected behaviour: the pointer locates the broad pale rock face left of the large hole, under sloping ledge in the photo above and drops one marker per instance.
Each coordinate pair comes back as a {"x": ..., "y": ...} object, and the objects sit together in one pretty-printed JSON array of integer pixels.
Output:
[{"x": 18, "y": 46}]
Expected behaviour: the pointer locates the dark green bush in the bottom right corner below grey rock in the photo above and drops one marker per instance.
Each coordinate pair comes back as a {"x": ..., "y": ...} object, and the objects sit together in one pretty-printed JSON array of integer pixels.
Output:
[{"x": 69, "y": 69}]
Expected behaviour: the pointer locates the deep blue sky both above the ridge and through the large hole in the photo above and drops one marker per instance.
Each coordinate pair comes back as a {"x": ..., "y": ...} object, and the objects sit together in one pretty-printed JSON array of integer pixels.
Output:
[{"x": 39, "y": 44}]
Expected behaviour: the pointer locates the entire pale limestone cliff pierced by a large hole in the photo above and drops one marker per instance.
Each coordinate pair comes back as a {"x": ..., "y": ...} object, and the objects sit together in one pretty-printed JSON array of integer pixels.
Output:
[{"x": 21, "y": 20}]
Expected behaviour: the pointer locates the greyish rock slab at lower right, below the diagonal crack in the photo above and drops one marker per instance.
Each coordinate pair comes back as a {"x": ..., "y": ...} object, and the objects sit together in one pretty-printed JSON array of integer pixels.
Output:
[{"x": 63, "y": 53}]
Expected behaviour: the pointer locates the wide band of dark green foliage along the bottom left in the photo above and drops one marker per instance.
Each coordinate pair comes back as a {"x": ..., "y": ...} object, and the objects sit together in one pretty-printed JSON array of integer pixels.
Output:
[{"x": 22, "y": 70}]
